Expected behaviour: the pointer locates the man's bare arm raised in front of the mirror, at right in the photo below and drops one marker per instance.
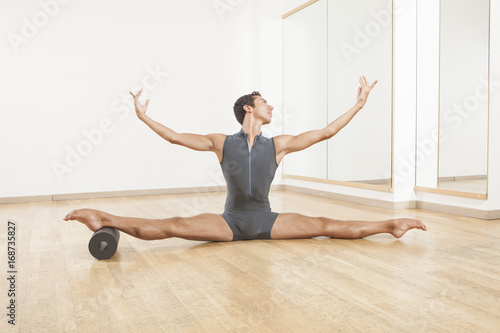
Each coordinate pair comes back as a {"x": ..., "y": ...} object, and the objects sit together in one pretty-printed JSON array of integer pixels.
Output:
[{"x": 286, "y": 144}]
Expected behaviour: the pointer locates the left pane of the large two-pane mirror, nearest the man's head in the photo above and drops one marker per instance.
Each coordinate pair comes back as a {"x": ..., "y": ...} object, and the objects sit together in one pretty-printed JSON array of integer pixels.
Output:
[{"x": 305, "y": 86}]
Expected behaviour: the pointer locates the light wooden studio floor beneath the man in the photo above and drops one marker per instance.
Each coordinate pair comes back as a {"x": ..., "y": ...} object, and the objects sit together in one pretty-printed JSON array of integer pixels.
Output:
[{"x": 444, "y": 280}]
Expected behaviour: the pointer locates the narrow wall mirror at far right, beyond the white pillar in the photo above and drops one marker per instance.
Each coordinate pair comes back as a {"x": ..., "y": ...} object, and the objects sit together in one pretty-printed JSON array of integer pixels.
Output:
[{"x": 463, "y": 95}]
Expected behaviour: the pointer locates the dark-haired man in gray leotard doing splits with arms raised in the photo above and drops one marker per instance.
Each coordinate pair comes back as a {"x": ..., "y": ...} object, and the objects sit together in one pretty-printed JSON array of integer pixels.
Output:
[{"x": 249, "y": 162}]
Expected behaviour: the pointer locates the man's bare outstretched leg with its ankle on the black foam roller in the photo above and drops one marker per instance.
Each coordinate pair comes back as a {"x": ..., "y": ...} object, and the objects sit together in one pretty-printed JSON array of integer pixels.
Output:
[{"x": 204, "y": 227}]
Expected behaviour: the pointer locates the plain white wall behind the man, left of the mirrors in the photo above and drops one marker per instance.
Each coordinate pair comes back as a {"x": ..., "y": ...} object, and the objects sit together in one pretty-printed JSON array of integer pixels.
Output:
[{"x": 68, "y": 125}]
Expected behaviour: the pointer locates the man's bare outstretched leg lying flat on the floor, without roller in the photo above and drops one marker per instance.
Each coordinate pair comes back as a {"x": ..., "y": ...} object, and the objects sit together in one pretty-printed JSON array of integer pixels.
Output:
[{"x": 291, "y": 225}]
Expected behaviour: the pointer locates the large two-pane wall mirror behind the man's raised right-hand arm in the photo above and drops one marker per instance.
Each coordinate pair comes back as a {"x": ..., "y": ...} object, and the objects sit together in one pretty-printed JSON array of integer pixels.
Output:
[{"x": 327, "y": 46}]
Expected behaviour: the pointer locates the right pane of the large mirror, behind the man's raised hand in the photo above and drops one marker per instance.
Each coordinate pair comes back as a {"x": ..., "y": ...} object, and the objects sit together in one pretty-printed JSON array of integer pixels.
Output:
[{"x": 360, "y": 42}]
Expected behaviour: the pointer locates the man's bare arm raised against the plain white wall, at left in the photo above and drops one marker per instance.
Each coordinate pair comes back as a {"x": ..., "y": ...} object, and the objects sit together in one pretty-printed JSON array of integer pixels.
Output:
[{"x": 210, "y": 142}]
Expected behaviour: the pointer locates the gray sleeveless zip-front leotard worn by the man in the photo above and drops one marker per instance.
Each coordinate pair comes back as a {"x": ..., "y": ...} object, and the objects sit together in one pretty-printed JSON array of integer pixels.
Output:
[{"x": 248, "y": 177}]
